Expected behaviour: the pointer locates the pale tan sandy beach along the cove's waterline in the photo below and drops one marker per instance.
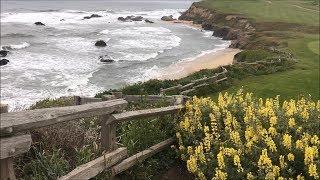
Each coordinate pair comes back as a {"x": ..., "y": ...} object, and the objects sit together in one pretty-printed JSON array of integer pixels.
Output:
[{"x": 207, "y": 61}]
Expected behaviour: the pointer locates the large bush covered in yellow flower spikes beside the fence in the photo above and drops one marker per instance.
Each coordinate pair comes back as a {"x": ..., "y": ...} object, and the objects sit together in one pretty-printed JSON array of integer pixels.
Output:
[{"x": 241, "y": 137}]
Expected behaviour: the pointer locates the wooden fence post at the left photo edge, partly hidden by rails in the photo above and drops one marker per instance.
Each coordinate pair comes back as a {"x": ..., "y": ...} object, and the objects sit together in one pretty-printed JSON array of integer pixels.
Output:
[{"x": 6, "y": 165}]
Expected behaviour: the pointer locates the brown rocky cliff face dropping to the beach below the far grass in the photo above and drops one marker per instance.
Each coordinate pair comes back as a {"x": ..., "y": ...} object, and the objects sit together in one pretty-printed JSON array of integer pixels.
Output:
[{"x": 227, "y": 26}]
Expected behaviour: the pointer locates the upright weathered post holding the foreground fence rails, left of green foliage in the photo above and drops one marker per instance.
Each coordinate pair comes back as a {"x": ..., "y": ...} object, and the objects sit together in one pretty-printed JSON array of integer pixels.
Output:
[{"x": 108, "y": 134}]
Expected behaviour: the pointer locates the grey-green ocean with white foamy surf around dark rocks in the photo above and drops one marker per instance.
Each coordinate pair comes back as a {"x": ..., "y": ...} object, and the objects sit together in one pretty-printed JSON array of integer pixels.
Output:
[{"x": 60, "y": 59}]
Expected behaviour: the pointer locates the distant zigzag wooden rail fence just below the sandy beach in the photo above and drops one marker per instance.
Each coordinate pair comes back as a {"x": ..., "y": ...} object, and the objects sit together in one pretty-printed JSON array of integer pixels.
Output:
[{"x": 196, "y": 84}]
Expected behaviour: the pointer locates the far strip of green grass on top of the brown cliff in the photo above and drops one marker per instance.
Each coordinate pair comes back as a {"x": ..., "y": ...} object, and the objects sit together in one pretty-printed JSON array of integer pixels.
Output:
[{"x": 270, "y": 10}]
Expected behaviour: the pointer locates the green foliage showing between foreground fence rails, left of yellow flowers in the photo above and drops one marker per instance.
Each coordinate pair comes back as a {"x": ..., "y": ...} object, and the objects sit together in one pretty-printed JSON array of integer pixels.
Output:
[{"x": 140, "y": 134}]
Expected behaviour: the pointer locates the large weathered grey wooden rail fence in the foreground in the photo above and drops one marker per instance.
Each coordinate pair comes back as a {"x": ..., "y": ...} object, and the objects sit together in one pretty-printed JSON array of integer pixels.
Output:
[{"x": 15, "y": 130}]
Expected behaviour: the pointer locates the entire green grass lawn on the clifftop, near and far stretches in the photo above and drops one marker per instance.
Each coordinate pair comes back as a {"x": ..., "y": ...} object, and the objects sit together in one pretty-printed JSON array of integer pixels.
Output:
[{"x": 304, "y": 78}]
